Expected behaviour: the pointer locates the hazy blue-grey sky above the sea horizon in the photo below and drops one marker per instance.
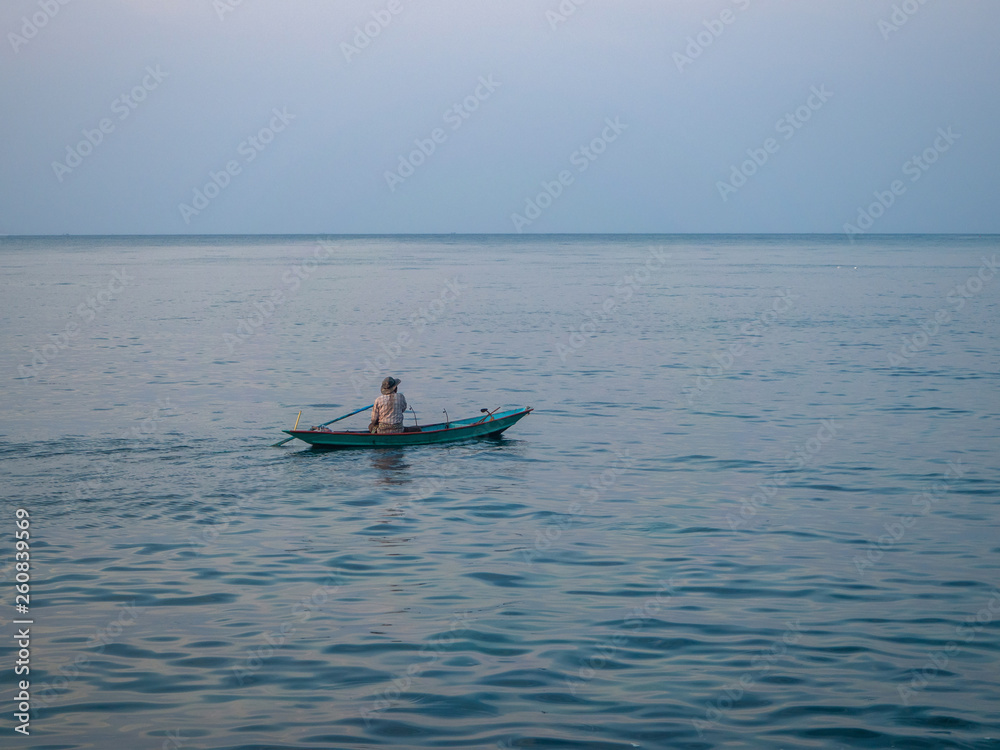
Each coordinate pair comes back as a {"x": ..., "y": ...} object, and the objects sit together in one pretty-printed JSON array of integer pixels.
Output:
[{"x": 499, "y": 116}]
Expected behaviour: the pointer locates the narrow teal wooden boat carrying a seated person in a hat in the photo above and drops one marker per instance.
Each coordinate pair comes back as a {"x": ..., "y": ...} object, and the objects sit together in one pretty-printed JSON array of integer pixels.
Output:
[{"x": 489, "y": 425}]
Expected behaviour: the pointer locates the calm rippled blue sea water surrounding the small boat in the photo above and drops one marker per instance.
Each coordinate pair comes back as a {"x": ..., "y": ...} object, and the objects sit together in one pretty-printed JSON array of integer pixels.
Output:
[{"x": 756, "y": 505}]
